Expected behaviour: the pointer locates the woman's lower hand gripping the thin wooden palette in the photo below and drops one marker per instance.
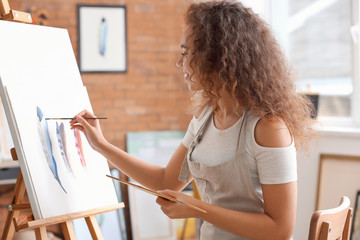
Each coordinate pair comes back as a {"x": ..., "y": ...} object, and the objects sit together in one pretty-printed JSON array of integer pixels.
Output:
[{"x": 175, "y": 210}]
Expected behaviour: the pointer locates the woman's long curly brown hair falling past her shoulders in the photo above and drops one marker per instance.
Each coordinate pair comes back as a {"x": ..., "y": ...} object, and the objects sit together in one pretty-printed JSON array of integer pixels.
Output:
[{"x": 230, "y": 40}]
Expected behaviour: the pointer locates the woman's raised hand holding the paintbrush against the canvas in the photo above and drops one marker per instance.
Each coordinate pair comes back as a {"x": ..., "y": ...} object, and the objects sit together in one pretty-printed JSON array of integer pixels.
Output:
[{"x": 90, "y": 128}]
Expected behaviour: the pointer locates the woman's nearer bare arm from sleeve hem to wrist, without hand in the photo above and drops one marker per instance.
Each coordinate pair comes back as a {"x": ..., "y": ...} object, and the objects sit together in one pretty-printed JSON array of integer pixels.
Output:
[{"x": 277, "y": 222}]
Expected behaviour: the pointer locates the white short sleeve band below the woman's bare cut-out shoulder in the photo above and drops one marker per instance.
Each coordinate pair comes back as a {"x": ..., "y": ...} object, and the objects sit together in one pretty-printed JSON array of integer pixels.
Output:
[{"x": 277, "y": 165}]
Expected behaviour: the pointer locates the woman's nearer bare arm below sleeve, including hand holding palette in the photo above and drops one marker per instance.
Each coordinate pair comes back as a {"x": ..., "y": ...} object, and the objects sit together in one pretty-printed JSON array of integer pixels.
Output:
[{"x": 277, "y": 221}]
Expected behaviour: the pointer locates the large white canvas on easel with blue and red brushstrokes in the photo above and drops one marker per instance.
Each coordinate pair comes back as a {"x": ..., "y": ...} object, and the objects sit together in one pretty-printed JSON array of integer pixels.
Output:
[{"x": 40, "y": 79}]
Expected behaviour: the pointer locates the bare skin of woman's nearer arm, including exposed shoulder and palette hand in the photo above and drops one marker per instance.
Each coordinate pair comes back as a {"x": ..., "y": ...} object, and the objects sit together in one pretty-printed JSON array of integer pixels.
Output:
[{"x": 278, "y": 219}]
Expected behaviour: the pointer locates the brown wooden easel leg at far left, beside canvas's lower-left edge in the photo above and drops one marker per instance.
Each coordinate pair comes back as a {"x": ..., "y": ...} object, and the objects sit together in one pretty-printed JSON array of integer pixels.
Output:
[{"x": 19, "y": 192}]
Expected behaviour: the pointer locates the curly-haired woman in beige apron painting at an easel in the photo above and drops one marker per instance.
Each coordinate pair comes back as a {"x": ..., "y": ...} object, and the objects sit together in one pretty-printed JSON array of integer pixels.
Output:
[{"x": 240, "y": 144}]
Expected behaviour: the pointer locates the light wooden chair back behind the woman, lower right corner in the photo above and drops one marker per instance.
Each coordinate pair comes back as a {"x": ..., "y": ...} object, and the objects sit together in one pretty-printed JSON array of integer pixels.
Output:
[{"x": 331, "y": 224}]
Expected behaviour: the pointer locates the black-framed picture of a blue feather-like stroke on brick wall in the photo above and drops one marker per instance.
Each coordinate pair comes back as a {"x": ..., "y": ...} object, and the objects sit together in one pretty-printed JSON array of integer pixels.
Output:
[{"x": 102, "y": 38}]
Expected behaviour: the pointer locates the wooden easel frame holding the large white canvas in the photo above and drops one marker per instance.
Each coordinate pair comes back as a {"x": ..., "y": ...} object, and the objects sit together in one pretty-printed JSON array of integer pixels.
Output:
[{"x": 13, "y": 221}]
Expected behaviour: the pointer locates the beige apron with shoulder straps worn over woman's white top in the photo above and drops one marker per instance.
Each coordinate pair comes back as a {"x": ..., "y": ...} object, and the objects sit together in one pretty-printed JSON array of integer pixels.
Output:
[{"x": 227, "y": 185}]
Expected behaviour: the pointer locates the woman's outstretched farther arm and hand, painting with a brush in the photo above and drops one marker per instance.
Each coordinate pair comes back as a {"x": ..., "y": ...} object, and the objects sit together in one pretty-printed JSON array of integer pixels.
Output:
[{"x": 150, "y": 175}]
